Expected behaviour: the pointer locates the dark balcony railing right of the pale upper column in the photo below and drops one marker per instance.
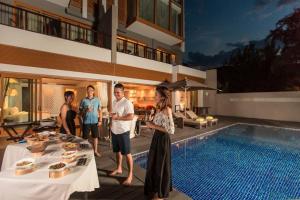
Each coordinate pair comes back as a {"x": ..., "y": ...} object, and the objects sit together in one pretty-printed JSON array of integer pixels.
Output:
[{"x": 143, "y": 51}]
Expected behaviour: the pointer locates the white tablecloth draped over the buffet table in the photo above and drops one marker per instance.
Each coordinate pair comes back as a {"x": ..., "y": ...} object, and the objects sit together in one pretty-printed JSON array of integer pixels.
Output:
[{"x": 37, "y": 185}]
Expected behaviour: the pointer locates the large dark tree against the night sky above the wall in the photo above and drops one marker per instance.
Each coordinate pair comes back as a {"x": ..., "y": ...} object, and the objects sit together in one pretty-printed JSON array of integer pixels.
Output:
[{"x": 275, "y": 67}]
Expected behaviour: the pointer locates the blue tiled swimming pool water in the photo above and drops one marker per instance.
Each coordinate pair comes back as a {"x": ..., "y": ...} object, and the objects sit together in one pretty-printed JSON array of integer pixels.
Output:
[{"x": 238, "y": 162}]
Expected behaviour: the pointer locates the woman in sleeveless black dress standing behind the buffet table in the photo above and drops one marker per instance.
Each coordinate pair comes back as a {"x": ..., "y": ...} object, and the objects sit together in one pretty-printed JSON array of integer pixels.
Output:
[{"x": 68, "y": 114}]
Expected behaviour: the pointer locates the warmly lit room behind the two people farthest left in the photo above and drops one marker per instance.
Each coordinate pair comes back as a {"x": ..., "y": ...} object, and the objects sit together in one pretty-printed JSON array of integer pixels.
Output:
[{"x": 25, "y": 101}]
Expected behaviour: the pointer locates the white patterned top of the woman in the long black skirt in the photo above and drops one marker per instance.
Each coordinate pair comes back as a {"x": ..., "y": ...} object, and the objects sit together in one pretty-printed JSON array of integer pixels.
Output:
[{"x": 161, "y": 119}]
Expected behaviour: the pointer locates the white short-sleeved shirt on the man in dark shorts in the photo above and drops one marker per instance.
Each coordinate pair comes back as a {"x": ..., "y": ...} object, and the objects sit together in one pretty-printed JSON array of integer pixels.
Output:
[{"x": 122, "y": 108}]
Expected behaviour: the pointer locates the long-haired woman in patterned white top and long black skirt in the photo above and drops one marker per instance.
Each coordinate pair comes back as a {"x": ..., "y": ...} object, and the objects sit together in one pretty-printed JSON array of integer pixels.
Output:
[{"x": 158, "y": 182}]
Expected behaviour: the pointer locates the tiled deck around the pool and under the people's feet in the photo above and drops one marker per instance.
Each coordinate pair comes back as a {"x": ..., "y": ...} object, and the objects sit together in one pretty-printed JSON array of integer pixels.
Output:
[{"x": 110, "y": 186}]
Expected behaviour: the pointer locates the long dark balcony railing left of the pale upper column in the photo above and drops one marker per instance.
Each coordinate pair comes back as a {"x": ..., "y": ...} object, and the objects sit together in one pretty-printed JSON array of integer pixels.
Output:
[{"x": 36, "y": 22}]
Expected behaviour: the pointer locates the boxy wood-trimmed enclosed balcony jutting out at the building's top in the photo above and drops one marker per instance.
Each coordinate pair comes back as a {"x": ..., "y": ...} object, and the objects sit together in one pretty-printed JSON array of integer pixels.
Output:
[{"x": 161, "y": 20}]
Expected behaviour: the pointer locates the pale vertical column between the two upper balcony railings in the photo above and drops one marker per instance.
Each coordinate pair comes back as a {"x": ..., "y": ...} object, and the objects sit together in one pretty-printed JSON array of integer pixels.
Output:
[{"x": 114, "y": 26}]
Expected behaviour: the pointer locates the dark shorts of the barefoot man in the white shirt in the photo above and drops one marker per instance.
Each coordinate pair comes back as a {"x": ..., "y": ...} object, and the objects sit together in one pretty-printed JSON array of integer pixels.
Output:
[{"x": 121, "y": 143}]
